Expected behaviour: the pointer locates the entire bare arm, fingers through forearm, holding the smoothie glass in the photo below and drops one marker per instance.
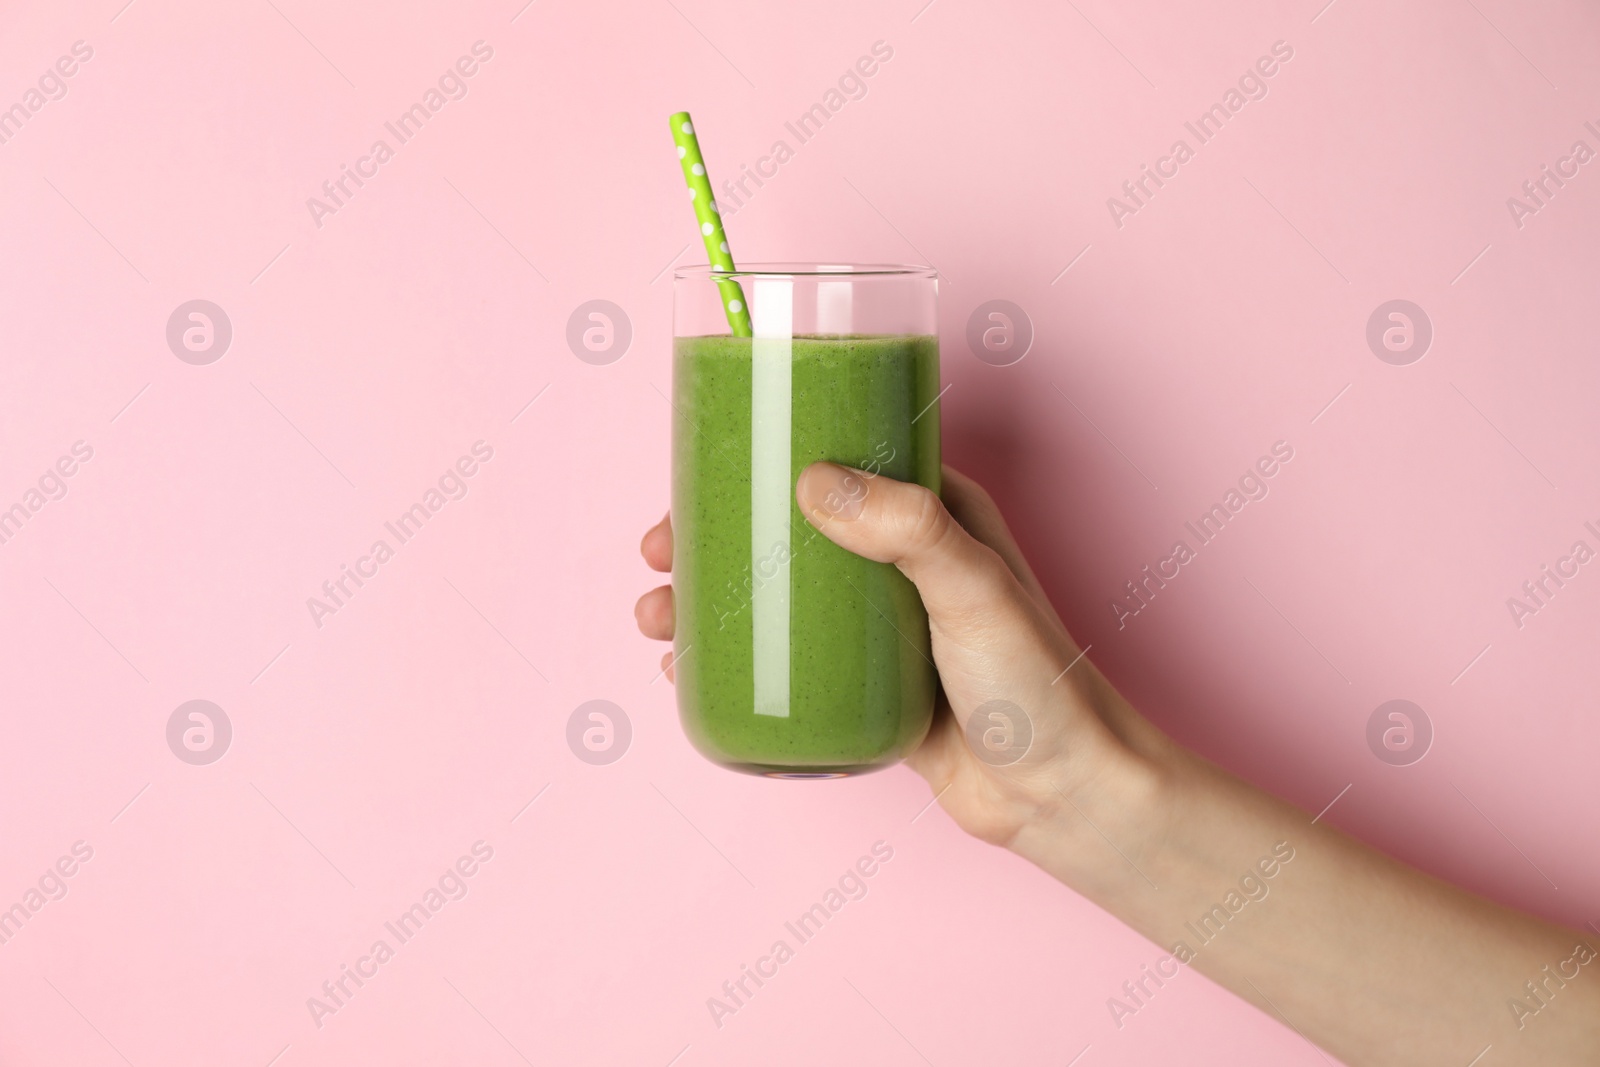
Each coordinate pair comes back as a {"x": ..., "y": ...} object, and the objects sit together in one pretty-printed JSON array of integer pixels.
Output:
[{"x": 1377, "y": 962}]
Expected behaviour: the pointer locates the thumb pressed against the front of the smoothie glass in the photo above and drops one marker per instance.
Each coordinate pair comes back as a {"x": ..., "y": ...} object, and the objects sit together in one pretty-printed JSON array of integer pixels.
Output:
[{"x": 966, "y": 586}]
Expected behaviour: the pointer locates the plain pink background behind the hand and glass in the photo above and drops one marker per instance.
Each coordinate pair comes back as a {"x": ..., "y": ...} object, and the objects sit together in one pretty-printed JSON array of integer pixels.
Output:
[{"x": 372, "y": 351}]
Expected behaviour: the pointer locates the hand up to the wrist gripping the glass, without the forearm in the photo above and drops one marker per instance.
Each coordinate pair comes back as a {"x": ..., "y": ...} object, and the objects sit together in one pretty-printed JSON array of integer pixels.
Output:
[{"x": 996, "y": 637}]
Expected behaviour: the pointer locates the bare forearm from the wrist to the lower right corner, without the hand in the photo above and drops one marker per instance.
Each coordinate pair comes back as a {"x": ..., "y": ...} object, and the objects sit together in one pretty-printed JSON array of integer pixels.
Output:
[{"x": 1370, "y": 959}]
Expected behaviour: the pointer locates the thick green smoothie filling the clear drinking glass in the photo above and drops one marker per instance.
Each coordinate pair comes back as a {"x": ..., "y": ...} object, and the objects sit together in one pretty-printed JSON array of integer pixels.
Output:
[{"x": 798, "y": 658}]
